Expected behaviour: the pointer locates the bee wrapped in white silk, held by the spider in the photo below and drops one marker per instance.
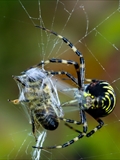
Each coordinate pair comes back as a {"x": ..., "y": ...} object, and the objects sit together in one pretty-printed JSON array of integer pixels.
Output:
[{"x": 39, "y": 96}]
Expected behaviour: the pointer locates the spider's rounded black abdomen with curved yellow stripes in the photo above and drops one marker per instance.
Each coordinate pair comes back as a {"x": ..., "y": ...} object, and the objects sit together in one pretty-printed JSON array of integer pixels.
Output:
[{"x": 104, "y": 96}]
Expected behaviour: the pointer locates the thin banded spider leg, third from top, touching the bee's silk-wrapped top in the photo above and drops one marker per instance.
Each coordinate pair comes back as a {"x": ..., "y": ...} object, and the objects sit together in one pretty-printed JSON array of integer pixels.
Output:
[{"x": 63, "y": 72}]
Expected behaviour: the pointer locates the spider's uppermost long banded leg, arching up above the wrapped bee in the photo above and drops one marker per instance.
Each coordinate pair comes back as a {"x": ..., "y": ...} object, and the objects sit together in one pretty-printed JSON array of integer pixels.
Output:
[{"x": 80, "y": 71}]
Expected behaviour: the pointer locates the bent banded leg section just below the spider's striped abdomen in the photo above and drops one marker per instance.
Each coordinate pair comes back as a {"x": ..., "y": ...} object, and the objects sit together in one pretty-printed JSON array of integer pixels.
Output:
[{"x": 101, "y": 123}]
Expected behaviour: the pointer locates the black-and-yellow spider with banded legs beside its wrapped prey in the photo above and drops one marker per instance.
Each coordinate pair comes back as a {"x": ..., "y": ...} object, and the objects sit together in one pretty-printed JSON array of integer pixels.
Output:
[{"x": 97, "y": 97}]
